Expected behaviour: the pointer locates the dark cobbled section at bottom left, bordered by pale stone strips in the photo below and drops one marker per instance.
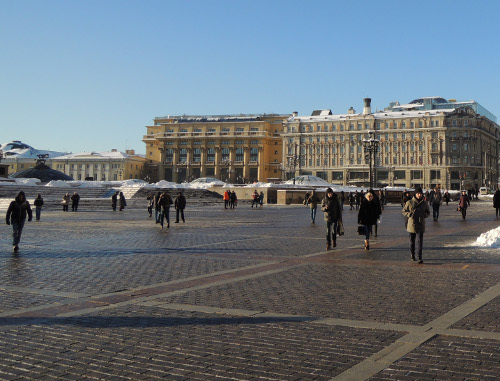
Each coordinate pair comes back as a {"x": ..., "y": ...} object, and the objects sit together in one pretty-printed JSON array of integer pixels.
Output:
[{"x": 155, "y": 342}]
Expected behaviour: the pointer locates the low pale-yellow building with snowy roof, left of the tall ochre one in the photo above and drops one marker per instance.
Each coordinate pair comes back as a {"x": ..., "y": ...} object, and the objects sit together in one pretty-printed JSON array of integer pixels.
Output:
[{"x": 101, "y": 166}]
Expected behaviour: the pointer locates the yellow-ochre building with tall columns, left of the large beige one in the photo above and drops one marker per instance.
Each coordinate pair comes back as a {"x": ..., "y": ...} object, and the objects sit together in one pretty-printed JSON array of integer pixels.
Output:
[{"x": 233, "y": 148}]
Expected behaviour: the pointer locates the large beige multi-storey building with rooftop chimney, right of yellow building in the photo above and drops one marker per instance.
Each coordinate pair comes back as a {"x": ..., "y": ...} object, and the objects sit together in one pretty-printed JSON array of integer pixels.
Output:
[{"x": 452, "y": 148}]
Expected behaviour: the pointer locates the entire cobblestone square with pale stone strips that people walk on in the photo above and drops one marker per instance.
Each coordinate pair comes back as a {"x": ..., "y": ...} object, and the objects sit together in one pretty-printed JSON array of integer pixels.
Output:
[{"x": 248, "y": 294}]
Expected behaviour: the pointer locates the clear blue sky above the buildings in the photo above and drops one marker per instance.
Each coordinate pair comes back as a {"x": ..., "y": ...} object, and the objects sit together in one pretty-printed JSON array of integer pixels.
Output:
[{"x": 90, "y": 75}]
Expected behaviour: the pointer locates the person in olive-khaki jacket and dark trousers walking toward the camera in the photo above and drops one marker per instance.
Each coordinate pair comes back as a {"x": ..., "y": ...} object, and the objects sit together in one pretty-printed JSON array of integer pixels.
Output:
[{"x": 416, "y": 211}]
